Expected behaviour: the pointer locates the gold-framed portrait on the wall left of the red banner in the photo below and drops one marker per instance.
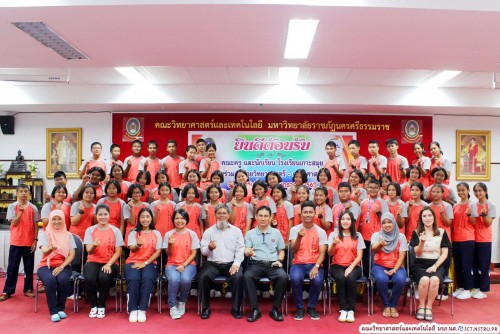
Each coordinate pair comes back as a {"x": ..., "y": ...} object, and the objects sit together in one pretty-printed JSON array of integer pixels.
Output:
[{"x": 64, "y": 151}]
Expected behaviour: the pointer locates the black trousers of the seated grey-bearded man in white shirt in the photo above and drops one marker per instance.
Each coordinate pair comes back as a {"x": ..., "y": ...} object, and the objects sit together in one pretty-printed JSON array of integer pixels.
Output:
[{"x": 209, "y": 271}]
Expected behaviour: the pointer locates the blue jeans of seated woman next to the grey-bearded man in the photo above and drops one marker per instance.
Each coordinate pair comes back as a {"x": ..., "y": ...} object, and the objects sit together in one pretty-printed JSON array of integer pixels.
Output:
[{"x": 179, "y": 280}]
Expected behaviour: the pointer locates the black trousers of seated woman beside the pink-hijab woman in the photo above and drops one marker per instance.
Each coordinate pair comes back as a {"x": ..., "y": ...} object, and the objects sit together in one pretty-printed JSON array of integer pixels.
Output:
[{"x": 97, "y": 280}]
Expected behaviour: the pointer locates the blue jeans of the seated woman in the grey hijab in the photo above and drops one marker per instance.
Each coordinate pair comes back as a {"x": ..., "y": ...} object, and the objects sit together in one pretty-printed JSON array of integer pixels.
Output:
[{"x": 382, "y": 281}]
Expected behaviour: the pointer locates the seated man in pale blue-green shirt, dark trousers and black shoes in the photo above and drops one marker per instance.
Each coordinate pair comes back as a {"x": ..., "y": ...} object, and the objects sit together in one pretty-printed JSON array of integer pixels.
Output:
[{"x": 265, "y": 247}]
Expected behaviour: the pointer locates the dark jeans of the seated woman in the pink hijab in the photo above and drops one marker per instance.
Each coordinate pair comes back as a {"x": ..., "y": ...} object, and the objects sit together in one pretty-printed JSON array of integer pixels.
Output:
[{"x": 56, "y": 287}]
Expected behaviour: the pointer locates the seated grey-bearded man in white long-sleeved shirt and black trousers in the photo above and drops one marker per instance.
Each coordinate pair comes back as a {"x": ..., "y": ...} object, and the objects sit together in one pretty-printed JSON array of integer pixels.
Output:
[{"x": 223, "y": 245}]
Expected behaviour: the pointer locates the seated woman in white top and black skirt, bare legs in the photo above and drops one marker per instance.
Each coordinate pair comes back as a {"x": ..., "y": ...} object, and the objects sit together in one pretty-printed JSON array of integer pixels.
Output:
[{"x": 431, "y": 249}]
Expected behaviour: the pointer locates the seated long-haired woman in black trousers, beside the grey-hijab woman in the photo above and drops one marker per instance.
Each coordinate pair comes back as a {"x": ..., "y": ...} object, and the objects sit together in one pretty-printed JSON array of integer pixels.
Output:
[{"x": 346, "y": 246}]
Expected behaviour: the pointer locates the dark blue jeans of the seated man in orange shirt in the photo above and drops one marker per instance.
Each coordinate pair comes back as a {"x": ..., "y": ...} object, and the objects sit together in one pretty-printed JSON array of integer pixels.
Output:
[{"x": 297, "y": 274}]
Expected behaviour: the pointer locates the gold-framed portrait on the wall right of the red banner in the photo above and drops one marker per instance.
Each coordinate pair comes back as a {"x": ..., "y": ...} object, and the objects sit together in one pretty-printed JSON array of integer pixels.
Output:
[{"x": 473, "y": 155}]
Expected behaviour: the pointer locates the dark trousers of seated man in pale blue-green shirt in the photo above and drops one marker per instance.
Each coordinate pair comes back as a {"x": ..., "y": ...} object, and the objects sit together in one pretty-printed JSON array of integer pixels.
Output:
[{"x": 258, "y": 269}]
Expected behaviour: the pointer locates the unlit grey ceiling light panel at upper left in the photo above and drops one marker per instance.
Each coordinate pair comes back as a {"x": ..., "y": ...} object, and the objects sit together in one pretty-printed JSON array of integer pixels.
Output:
[{"x": 48, "y": 37}]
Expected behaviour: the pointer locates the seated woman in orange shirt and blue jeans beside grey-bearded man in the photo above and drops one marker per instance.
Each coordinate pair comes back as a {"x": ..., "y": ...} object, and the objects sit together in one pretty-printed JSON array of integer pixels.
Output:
[{"x": 181, "y": 244}]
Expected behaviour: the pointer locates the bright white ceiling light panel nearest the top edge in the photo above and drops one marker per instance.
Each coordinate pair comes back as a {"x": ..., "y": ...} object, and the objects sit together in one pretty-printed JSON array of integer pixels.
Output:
[{"x": 299, "y": 38}]
